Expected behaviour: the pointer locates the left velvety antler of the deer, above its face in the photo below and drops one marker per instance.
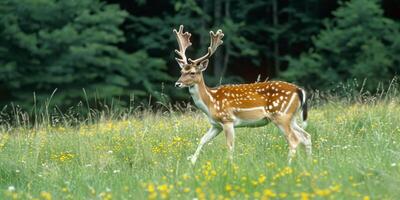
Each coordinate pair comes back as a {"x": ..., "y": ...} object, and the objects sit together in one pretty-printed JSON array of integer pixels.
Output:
[{"x": 183, "y": 39}]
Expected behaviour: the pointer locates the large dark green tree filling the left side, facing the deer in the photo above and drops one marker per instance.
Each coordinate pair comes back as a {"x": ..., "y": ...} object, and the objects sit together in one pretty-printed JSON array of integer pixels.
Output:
[{"x": 71, "y": 46}]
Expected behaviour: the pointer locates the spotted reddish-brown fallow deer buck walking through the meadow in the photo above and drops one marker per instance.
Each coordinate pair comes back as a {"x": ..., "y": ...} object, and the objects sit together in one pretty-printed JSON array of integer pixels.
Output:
[{"x": 243, "y": 105}]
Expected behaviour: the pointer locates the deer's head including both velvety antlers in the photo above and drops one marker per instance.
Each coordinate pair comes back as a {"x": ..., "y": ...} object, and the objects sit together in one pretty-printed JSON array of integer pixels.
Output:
[{"x": 191, "y": 70}]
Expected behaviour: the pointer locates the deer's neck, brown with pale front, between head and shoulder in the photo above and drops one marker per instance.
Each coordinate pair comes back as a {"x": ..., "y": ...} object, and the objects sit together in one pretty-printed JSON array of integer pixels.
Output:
[{"x": 201, "y": 96}]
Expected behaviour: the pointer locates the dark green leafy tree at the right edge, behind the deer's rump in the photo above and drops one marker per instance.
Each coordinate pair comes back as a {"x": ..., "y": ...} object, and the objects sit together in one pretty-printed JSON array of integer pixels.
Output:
[{"x": 359, "y": 43}]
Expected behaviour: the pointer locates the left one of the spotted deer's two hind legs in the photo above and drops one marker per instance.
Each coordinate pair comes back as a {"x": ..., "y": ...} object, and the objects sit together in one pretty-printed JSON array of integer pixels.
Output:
[{"x": 285, "y": 125}]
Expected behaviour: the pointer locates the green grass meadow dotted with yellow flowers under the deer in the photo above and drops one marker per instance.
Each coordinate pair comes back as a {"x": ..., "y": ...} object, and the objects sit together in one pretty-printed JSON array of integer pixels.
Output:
[{"x": 356, "y": 155}]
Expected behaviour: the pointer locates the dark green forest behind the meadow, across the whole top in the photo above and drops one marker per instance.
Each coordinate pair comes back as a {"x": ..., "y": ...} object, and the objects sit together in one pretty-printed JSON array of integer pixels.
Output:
[{"x": 122, "y": 52}]
